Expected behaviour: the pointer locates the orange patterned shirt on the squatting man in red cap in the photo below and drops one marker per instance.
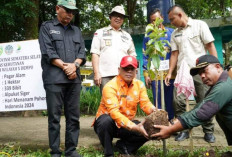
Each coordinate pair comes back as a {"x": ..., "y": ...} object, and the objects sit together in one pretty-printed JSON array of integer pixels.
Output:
[{"x": 120, "y": 101}]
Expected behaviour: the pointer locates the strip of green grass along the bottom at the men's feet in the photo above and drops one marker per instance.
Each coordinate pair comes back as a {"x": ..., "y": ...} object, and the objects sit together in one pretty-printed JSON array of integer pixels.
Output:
[{"x": 144, "y": 151}]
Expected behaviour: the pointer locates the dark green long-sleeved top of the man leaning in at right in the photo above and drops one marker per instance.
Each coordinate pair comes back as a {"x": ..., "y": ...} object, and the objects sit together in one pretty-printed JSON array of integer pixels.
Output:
[{"x": 218, "y": 101}]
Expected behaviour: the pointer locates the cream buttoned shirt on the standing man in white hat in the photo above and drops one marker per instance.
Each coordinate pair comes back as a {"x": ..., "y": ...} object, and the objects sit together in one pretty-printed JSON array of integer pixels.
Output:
[{"x": 111, "y": 45}]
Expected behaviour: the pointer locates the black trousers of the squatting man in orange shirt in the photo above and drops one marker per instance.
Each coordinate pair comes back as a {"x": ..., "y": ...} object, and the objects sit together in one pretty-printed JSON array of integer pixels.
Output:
[{"x": 106, "y": 130}]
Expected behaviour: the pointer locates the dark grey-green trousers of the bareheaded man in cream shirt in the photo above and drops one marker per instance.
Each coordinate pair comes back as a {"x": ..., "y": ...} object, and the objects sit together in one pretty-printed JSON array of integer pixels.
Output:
[{"x": 179, "y": 102}]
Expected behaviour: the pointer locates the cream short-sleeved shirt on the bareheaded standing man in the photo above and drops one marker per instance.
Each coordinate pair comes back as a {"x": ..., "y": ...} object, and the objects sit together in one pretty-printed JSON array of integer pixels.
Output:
[{"x": 190, "y": 41}]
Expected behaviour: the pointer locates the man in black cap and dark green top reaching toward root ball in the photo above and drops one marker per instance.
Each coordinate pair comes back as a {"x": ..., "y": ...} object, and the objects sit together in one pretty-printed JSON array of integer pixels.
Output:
[{"x": 218, "y": 100}]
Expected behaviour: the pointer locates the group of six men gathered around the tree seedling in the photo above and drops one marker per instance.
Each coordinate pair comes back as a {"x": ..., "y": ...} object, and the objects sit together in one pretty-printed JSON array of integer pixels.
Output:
[{"x": 115, "y": 67}]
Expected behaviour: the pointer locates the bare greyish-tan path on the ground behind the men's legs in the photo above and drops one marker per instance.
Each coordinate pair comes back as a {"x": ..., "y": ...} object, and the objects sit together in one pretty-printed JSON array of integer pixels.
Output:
[{"x": 31, "y": 133}]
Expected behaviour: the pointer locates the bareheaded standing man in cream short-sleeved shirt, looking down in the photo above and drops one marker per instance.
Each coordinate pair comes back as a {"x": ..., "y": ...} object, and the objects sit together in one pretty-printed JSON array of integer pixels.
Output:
[{"x": 190, "y": 40}]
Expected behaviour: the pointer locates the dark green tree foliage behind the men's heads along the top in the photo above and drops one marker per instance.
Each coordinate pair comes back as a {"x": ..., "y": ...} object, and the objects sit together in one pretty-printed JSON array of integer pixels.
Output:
[{"x": 21, "y": 19}]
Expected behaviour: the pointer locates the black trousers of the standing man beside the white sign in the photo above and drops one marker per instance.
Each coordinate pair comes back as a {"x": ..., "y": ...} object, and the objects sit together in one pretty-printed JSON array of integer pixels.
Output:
[{"x": 67, "y": 95}]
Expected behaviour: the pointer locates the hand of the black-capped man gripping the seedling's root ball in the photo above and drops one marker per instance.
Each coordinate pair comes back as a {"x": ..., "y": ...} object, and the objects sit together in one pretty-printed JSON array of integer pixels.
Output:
[{"x": 165, "y": 132}]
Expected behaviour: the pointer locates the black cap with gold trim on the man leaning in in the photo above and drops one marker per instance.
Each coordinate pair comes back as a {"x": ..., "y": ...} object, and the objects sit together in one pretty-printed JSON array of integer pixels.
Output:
[{"x": 203, "y": 62}]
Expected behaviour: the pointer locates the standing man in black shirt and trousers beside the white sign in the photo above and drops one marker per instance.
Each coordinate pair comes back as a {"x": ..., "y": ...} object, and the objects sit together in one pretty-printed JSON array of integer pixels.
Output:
[{"x": 63, "y": 52}]
